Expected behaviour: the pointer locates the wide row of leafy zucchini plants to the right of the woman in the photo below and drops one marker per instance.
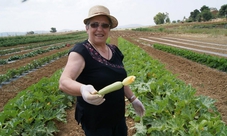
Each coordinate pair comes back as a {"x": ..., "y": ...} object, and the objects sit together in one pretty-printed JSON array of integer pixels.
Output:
[{"x": 172, "y": 108}]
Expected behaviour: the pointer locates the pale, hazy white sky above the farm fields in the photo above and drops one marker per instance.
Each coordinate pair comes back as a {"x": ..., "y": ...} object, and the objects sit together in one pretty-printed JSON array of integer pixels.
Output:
[{"x": 41, "y": 15}]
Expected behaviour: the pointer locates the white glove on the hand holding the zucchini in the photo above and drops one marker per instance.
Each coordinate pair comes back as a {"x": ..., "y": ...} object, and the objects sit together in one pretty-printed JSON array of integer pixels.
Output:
[{"x": 90, "y": 95}]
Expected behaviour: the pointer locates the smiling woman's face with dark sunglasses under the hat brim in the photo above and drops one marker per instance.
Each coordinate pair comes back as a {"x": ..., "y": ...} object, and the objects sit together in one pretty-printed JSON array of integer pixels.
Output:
[{"x": 98, "y": 29}]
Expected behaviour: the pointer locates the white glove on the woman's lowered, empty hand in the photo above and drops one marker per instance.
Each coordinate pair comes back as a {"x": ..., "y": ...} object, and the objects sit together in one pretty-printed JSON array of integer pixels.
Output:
[{"x": 138, "y": 106}]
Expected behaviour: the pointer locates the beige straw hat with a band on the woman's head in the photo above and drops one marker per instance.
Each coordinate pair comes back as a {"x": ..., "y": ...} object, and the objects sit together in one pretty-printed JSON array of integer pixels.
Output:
[{"x": 101, "y": 10}]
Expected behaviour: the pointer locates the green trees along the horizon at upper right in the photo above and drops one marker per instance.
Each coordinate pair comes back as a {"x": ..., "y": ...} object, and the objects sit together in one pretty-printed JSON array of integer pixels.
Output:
[{"x": 204, "y": 14}]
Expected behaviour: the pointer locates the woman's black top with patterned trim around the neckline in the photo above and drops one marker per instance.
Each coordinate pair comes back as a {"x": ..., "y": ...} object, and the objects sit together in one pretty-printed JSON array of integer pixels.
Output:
[{"x": 100, "y": 72}]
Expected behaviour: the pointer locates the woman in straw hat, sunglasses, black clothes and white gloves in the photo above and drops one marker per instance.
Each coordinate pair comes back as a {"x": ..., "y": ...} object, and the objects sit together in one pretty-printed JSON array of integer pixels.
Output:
[{"x": 92, "y": 65}]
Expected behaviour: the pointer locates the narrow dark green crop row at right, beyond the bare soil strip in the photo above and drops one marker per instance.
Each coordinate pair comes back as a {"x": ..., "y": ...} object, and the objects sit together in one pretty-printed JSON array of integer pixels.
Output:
[{"x": 208, "y": 60}]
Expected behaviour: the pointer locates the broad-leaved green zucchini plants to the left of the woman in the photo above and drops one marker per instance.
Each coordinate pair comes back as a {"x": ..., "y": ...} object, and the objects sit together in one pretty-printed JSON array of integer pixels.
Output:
[{"x": 33, "y": 111}]
